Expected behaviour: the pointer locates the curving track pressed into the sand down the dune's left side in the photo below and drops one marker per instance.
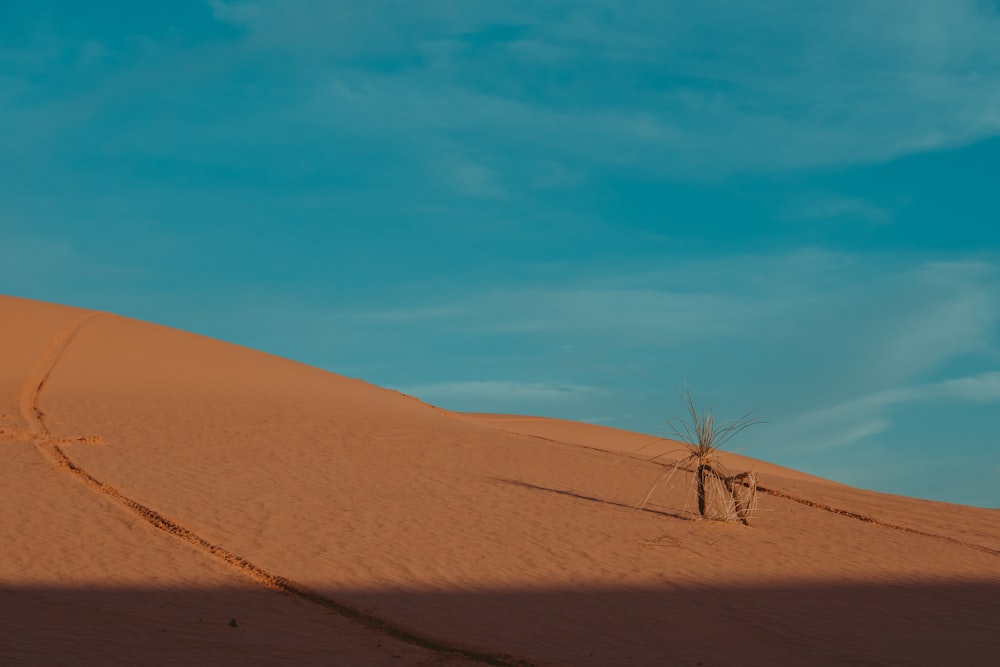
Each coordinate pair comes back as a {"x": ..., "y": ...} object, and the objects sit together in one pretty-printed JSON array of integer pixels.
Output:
[{"x": 28, "y": 399}]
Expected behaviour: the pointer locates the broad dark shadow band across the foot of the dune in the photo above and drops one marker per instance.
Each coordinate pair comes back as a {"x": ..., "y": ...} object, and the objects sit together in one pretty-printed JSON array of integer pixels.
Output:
[{"x": 816, "y": 624}]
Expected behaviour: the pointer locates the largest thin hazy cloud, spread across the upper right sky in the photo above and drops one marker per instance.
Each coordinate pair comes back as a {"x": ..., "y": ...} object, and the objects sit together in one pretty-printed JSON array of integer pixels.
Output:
[{"x": 682, "y": 90}]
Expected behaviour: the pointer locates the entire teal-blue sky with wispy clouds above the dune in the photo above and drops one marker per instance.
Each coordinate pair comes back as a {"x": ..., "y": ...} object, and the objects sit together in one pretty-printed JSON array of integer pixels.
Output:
[{"x": 564, "y": 208}]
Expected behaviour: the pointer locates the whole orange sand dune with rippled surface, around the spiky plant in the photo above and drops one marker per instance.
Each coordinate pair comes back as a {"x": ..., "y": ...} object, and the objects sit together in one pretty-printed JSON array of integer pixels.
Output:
[{"x": 171, "y": 499}]
